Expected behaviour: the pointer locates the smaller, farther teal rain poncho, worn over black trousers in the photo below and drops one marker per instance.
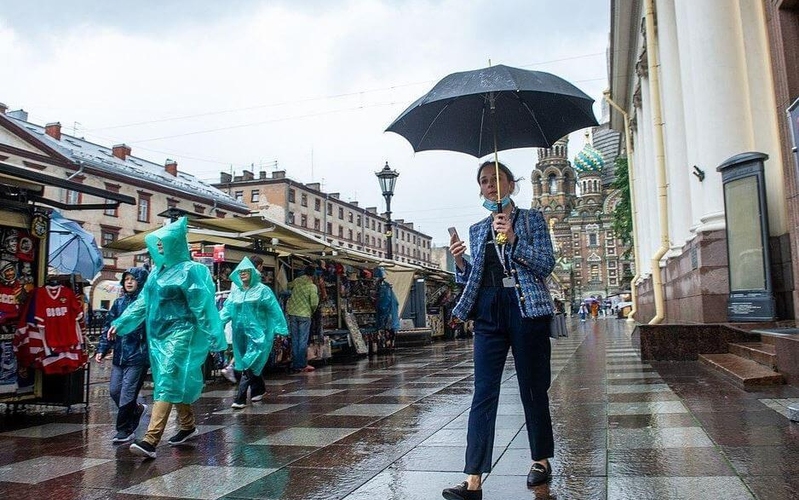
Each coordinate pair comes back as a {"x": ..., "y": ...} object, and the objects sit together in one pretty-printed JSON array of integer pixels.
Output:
[{"x": 256, "y": 318}]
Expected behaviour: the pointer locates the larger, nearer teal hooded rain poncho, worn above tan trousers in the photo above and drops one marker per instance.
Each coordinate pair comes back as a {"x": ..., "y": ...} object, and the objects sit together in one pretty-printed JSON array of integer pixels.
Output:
[{"x": 177, "y": 306}]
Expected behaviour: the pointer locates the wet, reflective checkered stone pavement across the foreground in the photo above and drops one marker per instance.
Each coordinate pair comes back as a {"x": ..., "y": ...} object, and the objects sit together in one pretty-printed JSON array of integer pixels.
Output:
[{"x": 394, "y": 427}]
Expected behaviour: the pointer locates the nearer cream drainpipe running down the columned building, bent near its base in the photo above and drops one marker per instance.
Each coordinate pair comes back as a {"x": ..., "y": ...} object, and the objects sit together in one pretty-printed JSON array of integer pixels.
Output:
[{"x": 652, "y": 49}]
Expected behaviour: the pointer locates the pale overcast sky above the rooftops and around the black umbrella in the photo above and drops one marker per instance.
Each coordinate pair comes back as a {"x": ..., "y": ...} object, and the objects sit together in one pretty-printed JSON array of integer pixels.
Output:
[{"x": 307, "y": 85}]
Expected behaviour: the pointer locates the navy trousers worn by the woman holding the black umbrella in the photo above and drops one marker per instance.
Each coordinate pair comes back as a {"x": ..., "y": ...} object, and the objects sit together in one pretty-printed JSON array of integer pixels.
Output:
[{"x": 499, "y": 326}]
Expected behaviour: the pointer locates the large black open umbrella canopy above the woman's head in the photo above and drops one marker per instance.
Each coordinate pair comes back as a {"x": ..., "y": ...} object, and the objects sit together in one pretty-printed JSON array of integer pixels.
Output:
[{"x": 493, "y": 109}]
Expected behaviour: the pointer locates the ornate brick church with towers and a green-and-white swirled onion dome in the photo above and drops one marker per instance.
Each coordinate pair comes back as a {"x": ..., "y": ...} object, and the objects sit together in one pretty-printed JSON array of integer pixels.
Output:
[{"x": 578, "y": 203}]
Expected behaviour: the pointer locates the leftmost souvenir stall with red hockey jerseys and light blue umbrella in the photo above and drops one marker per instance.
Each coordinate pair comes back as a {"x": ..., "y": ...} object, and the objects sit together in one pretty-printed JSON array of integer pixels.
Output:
[{"x": 45, "y": 260}]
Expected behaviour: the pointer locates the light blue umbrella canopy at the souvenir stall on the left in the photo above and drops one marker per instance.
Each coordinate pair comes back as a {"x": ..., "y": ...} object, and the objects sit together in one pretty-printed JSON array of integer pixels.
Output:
[{"x": 72, "y": 249}]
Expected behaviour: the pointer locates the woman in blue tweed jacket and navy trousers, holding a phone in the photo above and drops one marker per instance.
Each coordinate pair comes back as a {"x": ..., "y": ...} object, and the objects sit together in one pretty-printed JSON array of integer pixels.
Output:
[{"x": 506, "y": 296}]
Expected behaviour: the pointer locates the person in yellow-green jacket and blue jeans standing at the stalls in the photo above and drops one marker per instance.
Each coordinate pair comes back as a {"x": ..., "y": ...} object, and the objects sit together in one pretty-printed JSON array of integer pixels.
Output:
[{"x": 300, "y": 307}]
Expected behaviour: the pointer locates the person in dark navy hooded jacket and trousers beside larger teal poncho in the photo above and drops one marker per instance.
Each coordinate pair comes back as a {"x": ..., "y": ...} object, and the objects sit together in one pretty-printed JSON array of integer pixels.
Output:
[{"x": 130, "y": 360}]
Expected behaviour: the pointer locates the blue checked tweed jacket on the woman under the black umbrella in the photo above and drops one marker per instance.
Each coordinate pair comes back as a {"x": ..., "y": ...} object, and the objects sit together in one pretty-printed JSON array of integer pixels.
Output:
[{"x": 531, "y": 257}]
